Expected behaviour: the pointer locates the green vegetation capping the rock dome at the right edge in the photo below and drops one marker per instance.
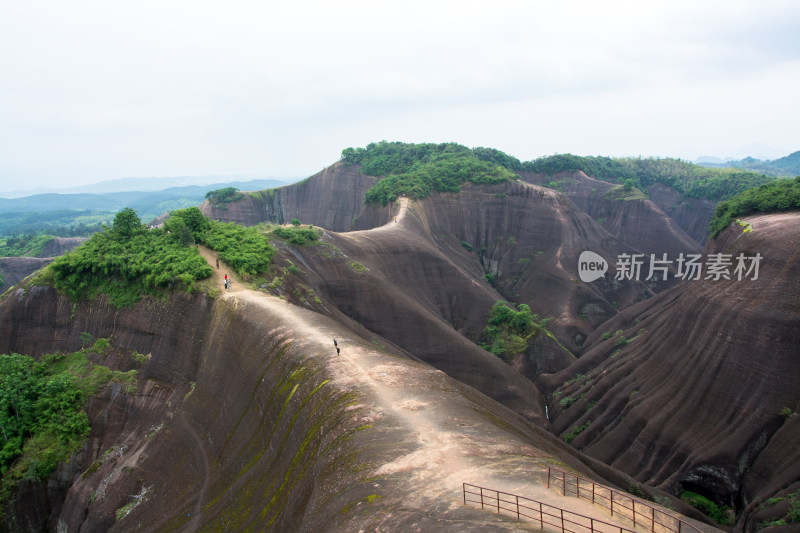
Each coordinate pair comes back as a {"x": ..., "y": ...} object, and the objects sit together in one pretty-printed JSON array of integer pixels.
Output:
[{"x": 779, "y": 195}]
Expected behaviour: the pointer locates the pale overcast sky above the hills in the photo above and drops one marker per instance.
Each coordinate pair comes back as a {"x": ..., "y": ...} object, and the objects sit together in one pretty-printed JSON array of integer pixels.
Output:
[{"x": 98, "y": 90}]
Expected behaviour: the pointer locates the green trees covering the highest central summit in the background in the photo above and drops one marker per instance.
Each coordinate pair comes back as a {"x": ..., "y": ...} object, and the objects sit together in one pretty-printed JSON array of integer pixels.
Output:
[{"x": 417, "y": 170}]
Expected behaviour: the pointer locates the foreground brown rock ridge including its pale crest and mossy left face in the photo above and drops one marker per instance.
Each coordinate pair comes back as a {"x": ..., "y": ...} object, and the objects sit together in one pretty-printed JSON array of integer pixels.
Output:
[{"x": 244, "y": 417}]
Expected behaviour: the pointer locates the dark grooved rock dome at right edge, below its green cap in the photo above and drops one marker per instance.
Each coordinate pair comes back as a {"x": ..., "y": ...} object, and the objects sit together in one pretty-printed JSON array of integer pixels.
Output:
[{"x": 693, "y": 401}]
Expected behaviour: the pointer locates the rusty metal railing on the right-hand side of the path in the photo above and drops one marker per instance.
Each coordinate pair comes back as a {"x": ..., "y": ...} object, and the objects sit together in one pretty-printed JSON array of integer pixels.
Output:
[{"x": 619, "y": 503}]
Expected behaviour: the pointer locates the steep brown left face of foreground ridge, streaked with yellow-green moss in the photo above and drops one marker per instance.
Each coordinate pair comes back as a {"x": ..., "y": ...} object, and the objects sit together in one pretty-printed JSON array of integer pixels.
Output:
[{"x": 209, "y": 431}]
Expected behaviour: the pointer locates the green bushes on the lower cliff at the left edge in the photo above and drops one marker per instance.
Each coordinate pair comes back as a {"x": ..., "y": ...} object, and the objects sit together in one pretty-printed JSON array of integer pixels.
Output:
[{"x": 42, "y": 410}]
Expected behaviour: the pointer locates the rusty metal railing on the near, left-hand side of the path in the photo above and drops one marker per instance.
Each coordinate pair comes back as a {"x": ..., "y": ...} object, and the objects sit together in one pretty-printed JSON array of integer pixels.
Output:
[{"x": 536, "y": 511}]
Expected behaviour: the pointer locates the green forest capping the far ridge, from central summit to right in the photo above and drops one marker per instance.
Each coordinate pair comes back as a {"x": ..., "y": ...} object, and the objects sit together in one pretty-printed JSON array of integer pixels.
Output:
[{"x": 416, "y": 170}]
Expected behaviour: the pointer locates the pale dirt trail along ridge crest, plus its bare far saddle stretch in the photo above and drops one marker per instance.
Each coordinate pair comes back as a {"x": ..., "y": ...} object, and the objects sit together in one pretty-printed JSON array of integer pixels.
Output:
[{"x": 451, "y": 443}]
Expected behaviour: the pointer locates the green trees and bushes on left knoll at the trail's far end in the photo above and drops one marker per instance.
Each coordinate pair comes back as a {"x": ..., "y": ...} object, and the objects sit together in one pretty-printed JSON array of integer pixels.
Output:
[{"x": 127, "y": 261}]
